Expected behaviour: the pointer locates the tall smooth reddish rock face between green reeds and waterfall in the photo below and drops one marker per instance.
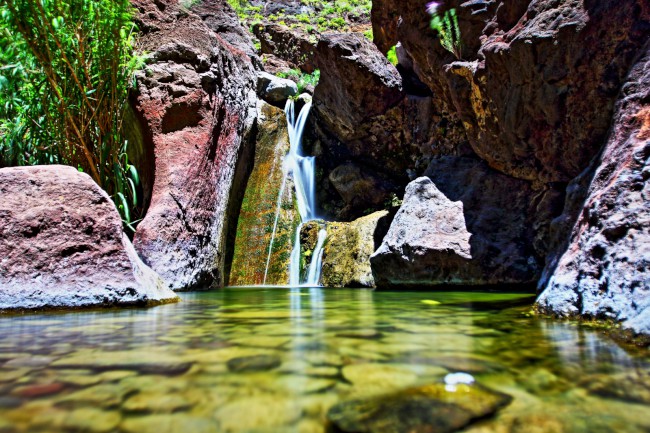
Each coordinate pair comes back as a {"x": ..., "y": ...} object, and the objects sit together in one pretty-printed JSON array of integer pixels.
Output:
[{"x": 196, "y": 97}]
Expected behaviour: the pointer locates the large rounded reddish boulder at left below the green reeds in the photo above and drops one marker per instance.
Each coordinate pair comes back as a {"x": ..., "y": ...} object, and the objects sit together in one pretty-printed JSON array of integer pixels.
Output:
[{"x": 62, "y": 245}]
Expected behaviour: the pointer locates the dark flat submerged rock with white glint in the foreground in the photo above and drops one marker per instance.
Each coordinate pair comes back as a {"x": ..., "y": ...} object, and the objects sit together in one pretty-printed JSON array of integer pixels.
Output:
[{"x": 436, "y": 408}]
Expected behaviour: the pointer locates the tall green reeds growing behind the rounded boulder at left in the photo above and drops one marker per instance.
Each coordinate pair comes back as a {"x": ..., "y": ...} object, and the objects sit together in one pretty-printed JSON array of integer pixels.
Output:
[{"x": 66, "y": 67}]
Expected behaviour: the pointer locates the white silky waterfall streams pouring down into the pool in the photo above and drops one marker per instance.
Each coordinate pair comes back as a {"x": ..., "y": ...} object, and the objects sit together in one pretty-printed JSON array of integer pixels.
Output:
[{"x": 303, "y": 171}]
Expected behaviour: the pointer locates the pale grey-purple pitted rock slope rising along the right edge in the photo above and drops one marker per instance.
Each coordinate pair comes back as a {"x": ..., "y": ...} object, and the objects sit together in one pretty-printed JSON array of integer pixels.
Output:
[{"x": 603, "y": 271}]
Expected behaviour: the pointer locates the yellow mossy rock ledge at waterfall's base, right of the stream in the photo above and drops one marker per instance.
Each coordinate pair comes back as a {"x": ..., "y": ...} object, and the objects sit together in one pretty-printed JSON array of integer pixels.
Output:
[{"x": 346, "y": 255}]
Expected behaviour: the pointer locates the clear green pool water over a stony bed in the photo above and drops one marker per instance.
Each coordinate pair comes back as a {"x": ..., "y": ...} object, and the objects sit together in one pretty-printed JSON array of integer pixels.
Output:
[{"x": 185, "y": 367}]
